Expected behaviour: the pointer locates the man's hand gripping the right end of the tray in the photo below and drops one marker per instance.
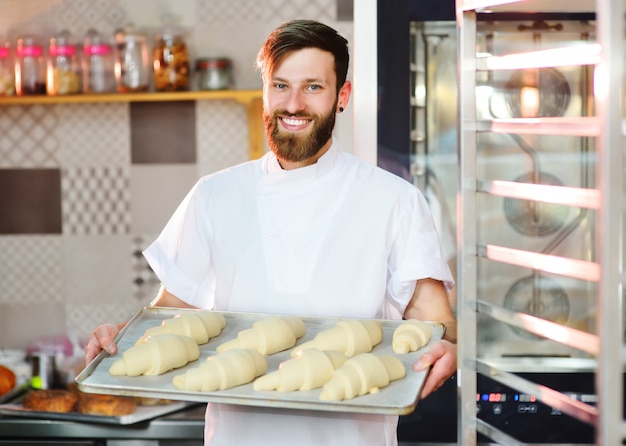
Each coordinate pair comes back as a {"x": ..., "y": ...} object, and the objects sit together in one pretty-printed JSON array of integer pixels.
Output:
[{"x": 441, "y": 356}]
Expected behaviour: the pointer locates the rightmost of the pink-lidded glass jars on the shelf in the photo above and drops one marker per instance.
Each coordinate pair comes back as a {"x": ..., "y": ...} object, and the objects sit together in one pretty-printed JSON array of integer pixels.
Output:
[{"x": 97, "y": 64}]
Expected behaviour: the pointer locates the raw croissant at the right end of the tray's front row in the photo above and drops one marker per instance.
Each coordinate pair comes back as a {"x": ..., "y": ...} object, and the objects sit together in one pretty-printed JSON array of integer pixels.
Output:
[{"x": 365, "y": 373}]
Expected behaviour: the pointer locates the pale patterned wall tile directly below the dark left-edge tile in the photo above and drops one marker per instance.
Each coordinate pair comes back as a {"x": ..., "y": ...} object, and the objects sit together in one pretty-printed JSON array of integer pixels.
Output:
[{"x": 31, "y": 270}]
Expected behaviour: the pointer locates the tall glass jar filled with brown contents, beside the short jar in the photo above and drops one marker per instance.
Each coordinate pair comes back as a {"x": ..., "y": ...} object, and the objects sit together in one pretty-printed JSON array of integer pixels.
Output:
[{"x": 170, "y": 60}]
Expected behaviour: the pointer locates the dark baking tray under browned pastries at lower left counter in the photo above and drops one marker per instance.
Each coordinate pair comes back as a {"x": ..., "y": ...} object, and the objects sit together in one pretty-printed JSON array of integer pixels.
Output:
[{"x": 142, "y": 413}]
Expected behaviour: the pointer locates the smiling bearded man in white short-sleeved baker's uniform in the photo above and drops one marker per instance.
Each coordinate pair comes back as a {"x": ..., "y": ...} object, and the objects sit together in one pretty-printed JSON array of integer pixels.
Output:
[{"x": 306, "y": 230}]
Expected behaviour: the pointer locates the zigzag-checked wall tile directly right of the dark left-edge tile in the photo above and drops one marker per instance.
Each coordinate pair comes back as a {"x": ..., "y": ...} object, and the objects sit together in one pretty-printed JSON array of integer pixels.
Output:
[{"x": 96, "y": 201}]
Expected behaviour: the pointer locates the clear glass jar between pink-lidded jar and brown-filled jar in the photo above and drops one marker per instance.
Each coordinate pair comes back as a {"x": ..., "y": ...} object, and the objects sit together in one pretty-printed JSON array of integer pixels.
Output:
[{"x": 132, "y": 66}]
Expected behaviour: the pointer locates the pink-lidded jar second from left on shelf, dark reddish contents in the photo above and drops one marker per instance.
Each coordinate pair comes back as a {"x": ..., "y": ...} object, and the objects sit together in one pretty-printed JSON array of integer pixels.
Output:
[{"x": 30, "y": 66}]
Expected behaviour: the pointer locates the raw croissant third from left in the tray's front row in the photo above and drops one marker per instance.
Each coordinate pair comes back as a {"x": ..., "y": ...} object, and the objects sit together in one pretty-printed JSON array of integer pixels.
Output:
[{"x": 309, "y": 370}]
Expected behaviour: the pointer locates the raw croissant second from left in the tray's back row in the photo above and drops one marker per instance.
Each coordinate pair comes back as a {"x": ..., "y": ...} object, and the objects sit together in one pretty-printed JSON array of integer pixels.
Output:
[{"x": 268, "y": 335}]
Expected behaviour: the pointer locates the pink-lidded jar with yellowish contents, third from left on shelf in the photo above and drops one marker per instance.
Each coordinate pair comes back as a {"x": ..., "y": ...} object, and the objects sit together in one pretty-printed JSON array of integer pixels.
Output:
[{"x": 63, "y": 68}]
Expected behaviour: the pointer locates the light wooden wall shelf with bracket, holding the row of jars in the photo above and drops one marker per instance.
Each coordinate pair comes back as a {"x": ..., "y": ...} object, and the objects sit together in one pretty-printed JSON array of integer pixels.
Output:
[{"x": 251, "y": 99}]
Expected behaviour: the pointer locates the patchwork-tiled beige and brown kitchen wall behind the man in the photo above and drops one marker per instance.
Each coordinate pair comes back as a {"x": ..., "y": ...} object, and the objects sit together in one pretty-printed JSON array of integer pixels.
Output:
[{"x": 85, "y": 187}]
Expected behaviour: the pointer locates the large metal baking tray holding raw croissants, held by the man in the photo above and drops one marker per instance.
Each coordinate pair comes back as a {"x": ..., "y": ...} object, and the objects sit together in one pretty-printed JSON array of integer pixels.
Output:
[{"x": 400, "y": 397}]
